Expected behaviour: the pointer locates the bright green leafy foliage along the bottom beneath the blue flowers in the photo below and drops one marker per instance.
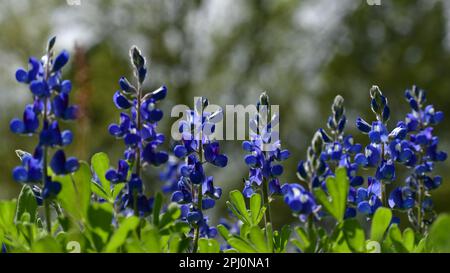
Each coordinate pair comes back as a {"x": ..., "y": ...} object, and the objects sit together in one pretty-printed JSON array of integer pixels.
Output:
[{"x": 86, "y": 226}]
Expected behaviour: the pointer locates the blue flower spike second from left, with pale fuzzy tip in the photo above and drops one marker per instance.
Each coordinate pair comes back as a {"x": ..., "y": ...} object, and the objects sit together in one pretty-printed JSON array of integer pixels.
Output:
[{"x": 137, "y": 128}]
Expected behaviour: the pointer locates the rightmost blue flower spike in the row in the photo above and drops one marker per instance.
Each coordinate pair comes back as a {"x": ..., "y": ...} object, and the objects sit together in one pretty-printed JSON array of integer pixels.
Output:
[{"x": 418, "y": 151}]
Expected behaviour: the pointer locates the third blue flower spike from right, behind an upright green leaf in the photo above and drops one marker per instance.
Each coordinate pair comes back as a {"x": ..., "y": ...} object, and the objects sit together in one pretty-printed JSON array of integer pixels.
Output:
[{"x": 328, "y": 150}]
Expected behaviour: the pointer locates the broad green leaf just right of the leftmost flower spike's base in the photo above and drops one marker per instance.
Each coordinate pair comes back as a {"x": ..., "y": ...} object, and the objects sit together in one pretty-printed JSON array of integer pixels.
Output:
[{"x": 75, "y": 193}]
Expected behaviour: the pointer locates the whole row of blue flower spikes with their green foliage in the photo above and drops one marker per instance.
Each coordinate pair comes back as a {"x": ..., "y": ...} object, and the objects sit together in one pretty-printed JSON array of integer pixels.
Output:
[{"x": 69, "y": 205}]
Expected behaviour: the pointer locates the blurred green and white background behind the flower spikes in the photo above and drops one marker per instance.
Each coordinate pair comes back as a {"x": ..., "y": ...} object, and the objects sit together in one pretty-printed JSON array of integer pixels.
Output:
[{"x": 302, "y": 53}]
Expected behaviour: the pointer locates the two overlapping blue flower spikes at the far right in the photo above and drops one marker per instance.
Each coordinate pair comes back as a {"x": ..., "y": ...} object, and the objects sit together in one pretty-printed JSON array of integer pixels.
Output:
[{"x": 410, "y": 144}]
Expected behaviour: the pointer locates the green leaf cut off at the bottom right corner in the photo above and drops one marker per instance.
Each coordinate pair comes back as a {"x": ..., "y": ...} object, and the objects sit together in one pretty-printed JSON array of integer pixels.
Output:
[{"x": 439, "y": 236}]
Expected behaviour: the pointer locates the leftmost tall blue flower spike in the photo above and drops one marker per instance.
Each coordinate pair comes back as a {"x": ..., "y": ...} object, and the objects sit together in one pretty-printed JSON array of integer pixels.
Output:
[{"x": 50, "y": 105}]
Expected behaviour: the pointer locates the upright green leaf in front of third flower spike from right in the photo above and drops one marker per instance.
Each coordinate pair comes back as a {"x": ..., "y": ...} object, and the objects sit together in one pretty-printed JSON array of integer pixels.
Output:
[{"x": 336, "y": 201}]
